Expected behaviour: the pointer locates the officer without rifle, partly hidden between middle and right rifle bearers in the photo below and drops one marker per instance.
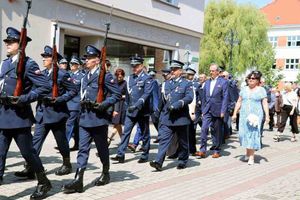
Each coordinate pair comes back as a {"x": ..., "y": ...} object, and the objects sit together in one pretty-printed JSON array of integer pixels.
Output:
[{"x": 72, "y": 125}]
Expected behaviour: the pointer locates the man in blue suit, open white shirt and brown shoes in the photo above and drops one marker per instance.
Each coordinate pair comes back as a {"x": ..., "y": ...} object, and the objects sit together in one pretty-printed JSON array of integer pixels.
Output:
[{"x": 214, "y": 107}]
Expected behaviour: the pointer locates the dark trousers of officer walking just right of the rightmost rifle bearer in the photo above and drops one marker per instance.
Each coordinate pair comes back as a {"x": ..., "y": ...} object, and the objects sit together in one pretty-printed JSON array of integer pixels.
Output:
[{"x": 143, "y": 122}]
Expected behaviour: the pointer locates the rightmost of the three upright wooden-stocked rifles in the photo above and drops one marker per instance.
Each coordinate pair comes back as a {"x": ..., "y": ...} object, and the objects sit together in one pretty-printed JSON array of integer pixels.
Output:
[{"x": 101, "y": 79}]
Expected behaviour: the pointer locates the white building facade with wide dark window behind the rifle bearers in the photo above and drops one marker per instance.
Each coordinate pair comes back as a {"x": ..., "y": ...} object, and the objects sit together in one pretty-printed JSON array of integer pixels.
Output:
[{"x": 159, "y": 30}]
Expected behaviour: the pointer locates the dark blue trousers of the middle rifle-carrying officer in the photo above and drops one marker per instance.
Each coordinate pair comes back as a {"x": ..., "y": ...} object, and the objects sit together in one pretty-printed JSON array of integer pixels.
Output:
[{"x": 59, "y": 132}]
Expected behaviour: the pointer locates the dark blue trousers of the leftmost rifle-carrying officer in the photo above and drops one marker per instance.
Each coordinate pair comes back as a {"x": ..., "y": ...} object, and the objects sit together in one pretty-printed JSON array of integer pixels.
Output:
[{"x": 23, "y": 139}]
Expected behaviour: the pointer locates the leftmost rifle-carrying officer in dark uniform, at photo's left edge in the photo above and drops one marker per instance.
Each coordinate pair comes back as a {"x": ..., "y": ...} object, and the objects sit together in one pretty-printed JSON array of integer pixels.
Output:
[{"x": 16, "y": 113}]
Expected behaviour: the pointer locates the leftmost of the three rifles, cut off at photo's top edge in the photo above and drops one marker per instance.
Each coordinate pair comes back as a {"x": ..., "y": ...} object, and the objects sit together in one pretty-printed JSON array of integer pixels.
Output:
[{"x": 22, "y": 56}]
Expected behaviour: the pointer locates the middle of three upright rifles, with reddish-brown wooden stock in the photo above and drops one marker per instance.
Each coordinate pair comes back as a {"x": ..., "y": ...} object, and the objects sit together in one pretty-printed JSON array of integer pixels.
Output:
[{"x": 54, "y": 66}]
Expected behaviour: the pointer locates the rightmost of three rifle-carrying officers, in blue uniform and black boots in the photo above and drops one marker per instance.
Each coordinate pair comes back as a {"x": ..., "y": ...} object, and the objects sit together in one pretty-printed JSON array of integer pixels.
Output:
[{"x": 94, "y": 120}]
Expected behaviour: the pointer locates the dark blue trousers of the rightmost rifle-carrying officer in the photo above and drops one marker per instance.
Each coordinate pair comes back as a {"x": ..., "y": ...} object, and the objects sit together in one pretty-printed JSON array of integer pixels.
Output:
[{"x": 86, "y": 136}]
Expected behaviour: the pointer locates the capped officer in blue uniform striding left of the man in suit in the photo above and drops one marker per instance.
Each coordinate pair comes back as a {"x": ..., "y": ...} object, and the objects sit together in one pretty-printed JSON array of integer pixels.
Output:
[{"x": 174, "y": 118}]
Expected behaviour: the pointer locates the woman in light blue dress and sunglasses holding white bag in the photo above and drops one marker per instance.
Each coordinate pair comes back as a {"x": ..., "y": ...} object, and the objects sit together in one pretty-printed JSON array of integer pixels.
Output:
[{"x": 252, "y": 105}]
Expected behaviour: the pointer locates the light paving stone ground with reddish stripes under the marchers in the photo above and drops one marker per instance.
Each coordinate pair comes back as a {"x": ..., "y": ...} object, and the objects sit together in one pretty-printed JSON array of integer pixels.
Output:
[{"x": 275, "y": 175}]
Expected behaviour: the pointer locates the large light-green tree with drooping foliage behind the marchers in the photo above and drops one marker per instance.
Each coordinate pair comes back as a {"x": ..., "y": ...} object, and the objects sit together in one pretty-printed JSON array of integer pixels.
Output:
[{"x": 249, "y": 26}]
